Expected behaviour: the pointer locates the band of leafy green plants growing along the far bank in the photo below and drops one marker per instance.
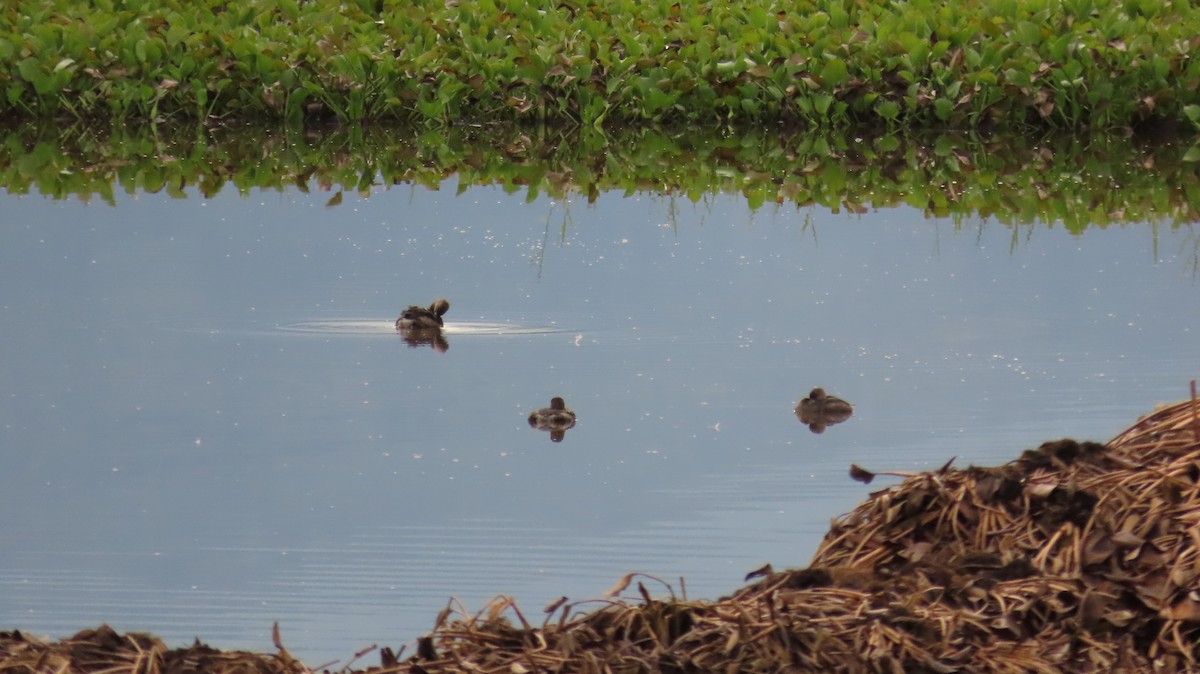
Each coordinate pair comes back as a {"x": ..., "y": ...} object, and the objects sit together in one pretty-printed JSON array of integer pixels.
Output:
[{"x": 1067, "y": 64}]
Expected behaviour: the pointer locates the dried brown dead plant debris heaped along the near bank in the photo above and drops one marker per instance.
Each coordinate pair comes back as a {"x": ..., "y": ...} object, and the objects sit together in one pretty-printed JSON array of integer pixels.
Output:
[{"x": 1076, "y": 557}]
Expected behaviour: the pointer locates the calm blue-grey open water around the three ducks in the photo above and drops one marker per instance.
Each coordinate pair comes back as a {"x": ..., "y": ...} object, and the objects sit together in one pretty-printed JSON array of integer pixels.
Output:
[{"x": 209, "y": 425}]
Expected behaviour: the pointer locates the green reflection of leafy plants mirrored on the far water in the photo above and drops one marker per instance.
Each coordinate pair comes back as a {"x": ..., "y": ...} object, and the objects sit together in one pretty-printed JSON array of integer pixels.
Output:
[{"x": 1076, "y": 182}]
